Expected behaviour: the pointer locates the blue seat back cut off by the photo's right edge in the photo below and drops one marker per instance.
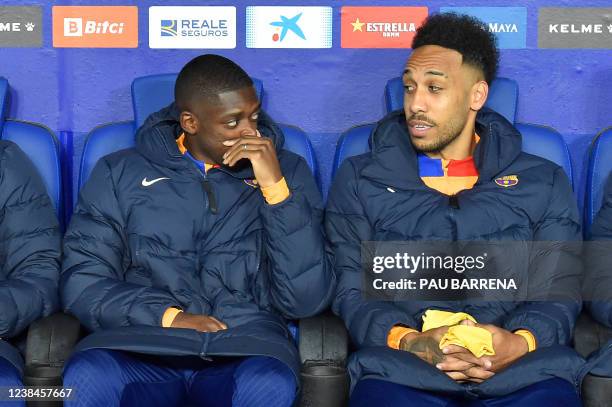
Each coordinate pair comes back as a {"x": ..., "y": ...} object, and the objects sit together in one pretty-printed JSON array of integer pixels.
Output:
[{"x": 598, "y": 170}]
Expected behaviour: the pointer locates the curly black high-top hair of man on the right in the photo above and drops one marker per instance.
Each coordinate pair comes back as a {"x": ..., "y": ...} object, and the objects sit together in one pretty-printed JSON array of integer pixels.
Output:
[{"x": 464, "y": 34}]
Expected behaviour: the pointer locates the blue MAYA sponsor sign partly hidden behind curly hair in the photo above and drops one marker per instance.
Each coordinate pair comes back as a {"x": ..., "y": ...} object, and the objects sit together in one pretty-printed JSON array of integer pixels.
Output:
[{"x": 509, "y": 24}]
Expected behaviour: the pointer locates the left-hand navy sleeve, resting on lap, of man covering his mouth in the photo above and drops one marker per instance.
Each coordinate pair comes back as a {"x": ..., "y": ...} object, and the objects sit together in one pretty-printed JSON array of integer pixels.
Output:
[{"x": 92, "y": 284}]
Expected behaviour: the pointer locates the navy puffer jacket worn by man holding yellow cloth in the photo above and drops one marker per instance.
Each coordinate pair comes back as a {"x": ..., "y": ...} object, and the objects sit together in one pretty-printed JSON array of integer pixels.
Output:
[{"x": 379, "y": 196}]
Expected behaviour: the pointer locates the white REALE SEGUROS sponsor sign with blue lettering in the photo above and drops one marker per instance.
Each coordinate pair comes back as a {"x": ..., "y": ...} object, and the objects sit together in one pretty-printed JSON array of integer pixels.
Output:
[{"x": 192, "y": 27}]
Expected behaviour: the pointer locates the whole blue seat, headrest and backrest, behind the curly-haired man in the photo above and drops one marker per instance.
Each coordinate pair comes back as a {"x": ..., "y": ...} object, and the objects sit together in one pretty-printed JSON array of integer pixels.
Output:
[{"x": 537, "y": 140}]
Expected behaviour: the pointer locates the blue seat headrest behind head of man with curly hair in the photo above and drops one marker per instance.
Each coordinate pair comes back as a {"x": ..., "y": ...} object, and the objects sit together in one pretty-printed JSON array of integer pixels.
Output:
[{"x": 503, "y": 96}]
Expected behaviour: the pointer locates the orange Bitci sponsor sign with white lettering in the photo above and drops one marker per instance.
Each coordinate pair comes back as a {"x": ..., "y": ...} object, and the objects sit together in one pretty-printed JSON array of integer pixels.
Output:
[{"x": 95, "y": 26}]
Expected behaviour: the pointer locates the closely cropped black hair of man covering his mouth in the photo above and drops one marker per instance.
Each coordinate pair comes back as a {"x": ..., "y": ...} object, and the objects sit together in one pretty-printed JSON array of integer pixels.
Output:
[{"x": 206, "y": 76}]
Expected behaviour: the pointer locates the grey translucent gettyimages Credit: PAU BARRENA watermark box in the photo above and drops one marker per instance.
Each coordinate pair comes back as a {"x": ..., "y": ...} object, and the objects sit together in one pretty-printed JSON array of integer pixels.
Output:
[{"x": 495, "y": 270}]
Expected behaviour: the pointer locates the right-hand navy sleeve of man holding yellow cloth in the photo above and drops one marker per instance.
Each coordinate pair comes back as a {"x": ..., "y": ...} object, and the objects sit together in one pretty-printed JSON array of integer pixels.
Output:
[{"x": 557, "y": 239}]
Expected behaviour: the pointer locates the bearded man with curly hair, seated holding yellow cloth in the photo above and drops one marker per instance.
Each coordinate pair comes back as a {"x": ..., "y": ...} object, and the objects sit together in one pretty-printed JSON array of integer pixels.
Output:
[{"x": 446, "y": 169}]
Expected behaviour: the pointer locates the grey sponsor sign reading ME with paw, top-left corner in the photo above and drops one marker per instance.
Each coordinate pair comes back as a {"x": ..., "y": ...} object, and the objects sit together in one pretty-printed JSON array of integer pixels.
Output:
[{"x": 20, "y": 26}]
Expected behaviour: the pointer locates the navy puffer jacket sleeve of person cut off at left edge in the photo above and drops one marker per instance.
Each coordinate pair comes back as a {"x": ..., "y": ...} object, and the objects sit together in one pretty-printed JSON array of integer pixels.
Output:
[{"x": 30, "y": 245}]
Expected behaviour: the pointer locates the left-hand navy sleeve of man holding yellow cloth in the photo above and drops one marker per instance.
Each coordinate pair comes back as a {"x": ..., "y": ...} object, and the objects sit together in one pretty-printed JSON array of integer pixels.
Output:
[{"x": 347, "y": 225}]
